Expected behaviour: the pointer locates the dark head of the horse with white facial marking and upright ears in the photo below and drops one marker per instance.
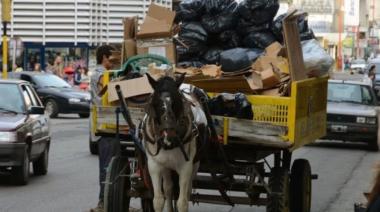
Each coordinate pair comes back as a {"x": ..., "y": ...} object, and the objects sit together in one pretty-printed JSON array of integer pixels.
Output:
[{"x": 166, "y": 106}]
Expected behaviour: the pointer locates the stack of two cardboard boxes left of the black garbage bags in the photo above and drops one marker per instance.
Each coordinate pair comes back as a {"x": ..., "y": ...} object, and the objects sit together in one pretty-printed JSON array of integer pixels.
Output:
[{"x": 156, "y": 33}]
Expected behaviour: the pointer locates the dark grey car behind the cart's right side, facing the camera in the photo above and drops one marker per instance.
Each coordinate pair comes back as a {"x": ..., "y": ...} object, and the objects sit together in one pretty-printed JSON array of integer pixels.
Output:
[{"x": 352, "y": 113}]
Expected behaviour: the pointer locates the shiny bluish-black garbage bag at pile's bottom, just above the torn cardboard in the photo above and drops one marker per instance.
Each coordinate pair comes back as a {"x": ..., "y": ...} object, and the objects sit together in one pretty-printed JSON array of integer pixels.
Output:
[{"x": 234, "y": 60}]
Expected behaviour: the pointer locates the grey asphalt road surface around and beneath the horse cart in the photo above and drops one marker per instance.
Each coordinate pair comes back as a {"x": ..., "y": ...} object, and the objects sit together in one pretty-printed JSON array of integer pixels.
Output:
[{"x": 71, "y": 185}]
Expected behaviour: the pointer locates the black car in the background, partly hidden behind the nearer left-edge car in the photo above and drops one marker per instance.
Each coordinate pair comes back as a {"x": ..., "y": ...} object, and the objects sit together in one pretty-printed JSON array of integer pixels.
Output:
[{"x": 56, "y": 94}]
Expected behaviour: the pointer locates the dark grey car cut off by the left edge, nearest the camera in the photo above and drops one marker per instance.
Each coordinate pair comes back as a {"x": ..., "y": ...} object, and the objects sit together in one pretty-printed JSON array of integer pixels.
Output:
[{"x": 24, "y": 131}]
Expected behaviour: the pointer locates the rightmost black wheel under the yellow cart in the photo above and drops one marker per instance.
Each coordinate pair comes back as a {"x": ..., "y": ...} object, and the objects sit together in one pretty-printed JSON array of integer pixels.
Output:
[{"x": 300, "y": 186}]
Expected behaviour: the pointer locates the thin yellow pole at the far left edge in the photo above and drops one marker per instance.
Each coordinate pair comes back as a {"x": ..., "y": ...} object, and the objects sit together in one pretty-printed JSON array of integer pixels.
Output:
[{"x": 6, "y": 18}]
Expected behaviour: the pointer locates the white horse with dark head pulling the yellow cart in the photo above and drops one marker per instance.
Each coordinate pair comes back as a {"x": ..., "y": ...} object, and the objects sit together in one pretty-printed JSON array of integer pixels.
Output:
[{"x": 171, "y": 131}]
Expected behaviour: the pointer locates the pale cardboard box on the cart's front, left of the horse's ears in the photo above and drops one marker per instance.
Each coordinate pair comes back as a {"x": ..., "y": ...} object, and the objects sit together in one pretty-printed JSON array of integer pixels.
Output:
[{"x": 130, "y": 88}]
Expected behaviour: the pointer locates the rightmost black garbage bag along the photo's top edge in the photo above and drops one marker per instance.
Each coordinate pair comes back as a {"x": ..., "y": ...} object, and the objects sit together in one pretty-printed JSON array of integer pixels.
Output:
[{"x": 258, "y": 11}]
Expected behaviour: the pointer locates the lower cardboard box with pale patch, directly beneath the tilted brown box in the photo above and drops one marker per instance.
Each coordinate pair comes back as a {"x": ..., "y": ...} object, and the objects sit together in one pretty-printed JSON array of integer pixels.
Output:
[{"x": 162, "y": 47}]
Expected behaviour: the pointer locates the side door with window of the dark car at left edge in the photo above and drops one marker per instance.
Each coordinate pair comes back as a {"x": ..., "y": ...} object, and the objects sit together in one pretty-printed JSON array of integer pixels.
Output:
[{"x": 33, "y": 122}]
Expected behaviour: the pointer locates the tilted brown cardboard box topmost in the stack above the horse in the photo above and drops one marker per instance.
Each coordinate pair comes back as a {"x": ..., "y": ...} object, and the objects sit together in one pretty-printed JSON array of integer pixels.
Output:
[{"x": 158, "y": 23}]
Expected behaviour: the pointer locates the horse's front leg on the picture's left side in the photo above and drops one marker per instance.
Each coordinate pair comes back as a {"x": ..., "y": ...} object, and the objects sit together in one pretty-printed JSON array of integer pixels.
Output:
[{"x": 155, "y": 171}]
